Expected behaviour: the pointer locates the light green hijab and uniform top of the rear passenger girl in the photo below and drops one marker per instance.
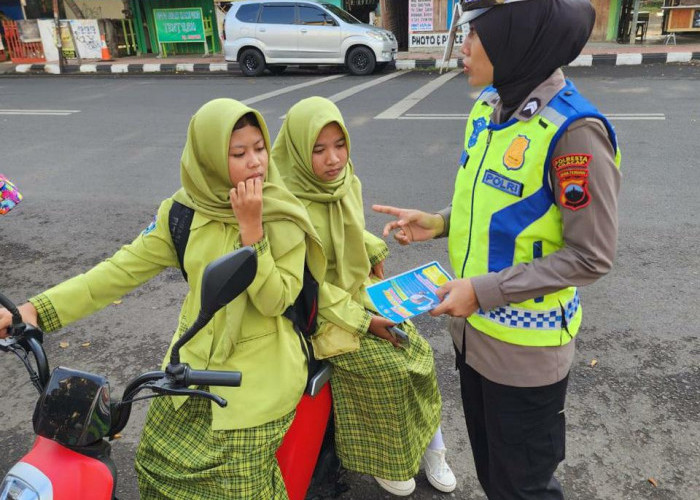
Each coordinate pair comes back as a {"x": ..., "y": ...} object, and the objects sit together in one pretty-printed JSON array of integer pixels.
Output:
[{"x": 337, "y": 213}]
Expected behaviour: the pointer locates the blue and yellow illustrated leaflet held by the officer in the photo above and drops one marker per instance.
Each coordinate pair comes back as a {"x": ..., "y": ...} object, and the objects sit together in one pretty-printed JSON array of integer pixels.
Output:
[{"x": 409, "y": 294}]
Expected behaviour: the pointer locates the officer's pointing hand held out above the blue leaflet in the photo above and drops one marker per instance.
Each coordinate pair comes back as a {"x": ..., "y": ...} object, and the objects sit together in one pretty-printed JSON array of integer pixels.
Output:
[{"x": 411, "y": 225}]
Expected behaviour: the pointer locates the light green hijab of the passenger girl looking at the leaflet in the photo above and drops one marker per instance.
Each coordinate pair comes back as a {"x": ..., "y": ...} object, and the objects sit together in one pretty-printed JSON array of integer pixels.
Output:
[{"x": 335, "y": 207}]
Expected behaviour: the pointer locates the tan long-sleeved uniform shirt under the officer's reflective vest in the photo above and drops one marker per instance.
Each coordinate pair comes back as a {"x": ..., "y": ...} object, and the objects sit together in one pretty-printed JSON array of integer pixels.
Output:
[{"x": 590, "y": 235}]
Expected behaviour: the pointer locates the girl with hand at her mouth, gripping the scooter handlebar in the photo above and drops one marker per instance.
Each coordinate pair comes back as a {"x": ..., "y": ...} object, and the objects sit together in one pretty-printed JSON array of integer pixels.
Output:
[{"x": 190, "y": 447}]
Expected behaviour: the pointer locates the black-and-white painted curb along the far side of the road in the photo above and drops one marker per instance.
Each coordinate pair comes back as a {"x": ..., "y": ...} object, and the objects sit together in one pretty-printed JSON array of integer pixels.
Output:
[{"x": 622, "y": 59}]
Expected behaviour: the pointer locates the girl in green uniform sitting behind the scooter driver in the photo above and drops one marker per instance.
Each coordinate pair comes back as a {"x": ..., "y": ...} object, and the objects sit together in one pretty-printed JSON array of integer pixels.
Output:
[{"x": 386, "y": 399}]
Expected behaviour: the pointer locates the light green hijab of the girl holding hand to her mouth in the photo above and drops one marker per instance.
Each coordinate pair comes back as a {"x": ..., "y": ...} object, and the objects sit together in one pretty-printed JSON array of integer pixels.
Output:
[{"x": 206, "y": 183}]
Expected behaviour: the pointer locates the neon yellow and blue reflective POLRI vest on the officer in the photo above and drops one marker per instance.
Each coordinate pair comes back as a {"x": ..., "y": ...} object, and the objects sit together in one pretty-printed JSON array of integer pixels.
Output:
[{"x": 504, "y": 213}]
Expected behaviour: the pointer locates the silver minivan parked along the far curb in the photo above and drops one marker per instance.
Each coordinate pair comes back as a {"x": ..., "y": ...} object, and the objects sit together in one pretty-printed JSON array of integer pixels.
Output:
[{"x": 275, "y": 33}]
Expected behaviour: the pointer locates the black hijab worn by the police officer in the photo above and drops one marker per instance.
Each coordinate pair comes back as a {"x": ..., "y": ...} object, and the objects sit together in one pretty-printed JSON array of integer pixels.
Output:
[{"x": 527, "y": 41}]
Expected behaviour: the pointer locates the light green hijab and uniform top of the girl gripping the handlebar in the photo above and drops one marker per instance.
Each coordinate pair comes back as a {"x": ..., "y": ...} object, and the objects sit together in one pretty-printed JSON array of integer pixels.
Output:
[{"x": 249, "y": 334}]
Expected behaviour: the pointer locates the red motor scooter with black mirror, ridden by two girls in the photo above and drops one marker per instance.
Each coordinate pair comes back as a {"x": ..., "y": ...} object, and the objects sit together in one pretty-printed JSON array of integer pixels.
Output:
[{"x": 75, "y": 417}]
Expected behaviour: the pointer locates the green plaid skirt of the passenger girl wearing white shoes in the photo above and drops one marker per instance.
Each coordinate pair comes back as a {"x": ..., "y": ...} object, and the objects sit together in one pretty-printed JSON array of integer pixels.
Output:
[{"x": 387, "y": 406}]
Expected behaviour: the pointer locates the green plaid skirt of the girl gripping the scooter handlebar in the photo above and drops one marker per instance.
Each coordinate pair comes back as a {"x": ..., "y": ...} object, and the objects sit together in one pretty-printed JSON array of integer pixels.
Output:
[{"x": 180, "y": 457}]
